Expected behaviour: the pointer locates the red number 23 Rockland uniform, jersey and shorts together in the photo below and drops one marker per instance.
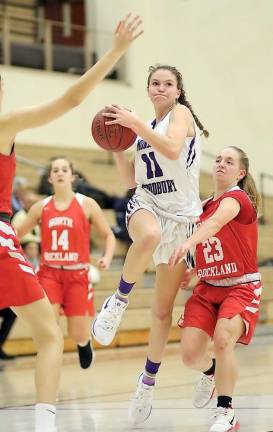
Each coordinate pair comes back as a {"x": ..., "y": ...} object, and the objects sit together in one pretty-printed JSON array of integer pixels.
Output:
[{"x": 227, "y": 268}]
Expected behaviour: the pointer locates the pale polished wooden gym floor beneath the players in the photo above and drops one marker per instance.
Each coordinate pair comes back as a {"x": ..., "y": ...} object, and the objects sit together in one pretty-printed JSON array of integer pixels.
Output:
[{"x": 97, "y": 399}]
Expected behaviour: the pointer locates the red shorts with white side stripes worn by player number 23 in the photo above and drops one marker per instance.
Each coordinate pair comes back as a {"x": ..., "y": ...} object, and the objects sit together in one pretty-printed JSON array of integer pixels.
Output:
[{"x": 209, "y": 303}]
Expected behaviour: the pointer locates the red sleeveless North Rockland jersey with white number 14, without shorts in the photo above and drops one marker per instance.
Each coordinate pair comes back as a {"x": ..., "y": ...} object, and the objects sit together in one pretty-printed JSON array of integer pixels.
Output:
[{"x": 65, "y": 234}]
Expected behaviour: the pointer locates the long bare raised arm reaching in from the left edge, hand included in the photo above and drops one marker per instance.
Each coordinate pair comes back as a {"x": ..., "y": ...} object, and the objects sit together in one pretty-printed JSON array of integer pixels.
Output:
[{"x": 12, "y": 123}]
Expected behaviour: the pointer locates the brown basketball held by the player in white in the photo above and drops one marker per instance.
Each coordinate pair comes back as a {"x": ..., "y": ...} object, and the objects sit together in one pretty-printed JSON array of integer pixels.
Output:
[{"x": 114, "y": 137}]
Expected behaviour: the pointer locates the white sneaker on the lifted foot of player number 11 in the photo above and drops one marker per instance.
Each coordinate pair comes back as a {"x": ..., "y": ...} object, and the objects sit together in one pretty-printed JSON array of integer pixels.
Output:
[{"x": 106, "y": 323}]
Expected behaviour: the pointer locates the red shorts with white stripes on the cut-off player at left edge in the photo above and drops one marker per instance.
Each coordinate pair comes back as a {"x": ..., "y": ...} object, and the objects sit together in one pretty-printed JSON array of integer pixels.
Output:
[{"x": 19, "y": 285}]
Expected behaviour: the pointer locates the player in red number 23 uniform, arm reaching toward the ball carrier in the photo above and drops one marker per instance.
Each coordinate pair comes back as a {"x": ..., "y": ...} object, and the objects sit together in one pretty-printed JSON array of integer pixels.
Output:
[{"x": 224, "y": 306}]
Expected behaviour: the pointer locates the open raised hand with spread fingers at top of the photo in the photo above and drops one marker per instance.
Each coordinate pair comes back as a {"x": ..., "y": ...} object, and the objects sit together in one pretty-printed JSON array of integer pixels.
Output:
[{"x": 126, "y": 32}]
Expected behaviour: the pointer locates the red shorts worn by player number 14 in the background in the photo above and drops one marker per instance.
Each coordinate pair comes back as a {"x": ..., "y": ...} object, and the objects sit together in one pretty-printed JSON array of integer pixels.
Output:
[{"x": 70, "y": 289}]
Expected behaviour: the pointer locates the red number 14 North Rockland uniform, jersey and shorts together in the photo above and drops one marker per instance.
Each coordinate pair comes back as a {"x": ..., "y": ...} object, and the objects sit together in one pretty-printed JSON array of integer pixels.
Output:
[{"x": 65, "y": 255}]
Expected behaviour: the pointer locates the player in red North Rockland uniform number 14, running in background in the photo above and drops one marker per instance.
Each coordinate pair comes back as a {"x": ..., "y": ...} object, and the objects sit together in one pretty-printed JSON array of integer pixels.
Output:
[{"x": 65, "y": 219}]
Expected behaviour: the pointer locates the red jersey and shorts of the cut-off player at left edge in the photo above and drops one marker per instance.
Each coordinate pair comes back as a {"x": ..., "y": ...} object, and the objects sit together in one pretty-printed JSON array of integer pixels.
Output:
[{"x": 18, "y": 284}]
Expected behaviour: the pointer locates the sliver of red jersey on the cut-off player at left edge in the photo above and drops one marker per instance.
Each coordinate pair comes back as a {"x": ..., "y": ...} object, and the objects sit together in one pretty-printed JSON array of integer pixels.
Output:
[{"x": 7, "y": 165}]
